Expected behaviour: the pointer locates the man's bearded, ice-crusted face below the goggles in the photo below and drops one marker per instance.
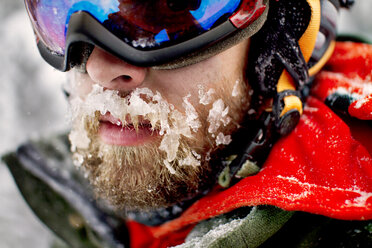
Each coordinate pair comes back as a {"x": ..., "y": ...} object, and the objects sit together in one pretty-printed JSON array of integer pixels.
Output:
[{"x": 145, "y": 136}]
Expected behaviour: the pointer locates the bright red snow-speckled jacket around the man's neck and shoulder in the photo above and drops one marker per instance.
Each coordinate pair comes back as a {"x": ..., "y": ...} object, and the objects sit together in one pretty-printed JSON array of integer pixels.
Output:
[{"x": 323, "y": 167}]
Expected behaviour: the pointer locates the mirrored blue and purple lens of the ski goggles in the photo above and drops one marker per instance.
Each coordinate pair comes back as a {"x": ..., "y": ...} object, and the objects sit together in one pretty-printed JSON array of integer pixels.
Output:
[{"x": 55, "y": 16}]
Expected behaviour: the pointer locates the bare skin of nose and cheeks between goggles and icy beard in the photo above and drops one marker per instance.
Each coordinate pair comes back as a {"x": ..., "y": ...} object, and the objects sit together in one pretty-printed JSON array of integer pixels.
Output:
[{"x": 112, "y": 73}]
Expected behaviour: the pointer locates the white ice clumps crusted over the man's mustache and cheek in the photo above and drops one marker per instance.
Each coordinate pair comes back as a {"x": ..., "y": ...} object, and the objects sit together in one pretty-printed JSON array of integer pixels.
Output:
[{"x": 145, "y": 104}]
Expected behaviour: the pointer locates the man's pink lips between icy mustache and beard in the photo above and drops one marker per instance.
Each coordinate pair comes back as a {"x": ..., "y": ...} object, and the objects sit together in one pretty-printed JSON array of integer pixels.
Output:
[{"x": 113, "y": 131}]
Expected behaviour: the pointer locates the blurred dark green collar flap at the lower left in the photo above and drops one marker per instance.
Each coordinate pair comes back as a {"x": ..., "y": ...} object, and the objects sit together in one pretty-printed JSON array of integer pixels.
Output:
[{"x": 60, "y": 196}]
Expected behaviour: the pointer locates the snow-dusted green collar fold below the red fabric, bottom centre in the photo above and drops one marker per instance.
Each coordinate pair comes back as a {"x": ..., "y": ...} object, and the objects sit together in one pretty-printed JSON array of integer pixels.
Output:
[{"x": 238, "y": 230}]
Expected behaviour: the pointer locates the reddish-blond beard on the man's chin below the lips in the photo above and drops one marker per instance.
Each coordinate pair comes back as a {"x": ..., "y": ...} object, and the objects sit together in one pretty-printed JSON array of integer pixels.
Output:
[{"x": 136, "y": 178}]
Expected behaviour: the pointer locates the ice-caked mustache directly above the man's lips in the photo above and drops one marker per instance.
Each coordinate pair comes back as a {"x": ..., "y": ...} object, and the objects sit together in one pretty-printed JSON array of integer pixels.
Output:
[{"x": 139, "y": 106}]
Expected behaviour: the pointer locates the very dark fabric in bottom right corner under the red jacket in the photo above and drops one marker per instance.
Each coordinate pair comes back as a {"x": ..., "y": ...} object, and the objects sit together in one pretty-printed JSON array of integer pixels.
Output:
[{"x": 306, "y": 230}]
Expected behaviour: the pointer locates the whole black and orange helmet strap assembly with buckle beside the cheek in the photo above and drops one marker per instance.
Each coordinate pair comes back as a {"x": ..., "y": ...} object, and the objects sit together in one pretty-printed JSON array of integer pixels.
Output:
[{"x": 290, "y": 91}]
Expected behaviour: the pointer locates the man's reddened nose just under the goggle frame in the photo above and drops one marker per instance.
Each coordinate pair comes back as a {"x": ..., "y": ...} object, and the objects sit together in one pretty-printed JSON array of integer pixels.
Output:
[{"x": 113, "y": 73}]
